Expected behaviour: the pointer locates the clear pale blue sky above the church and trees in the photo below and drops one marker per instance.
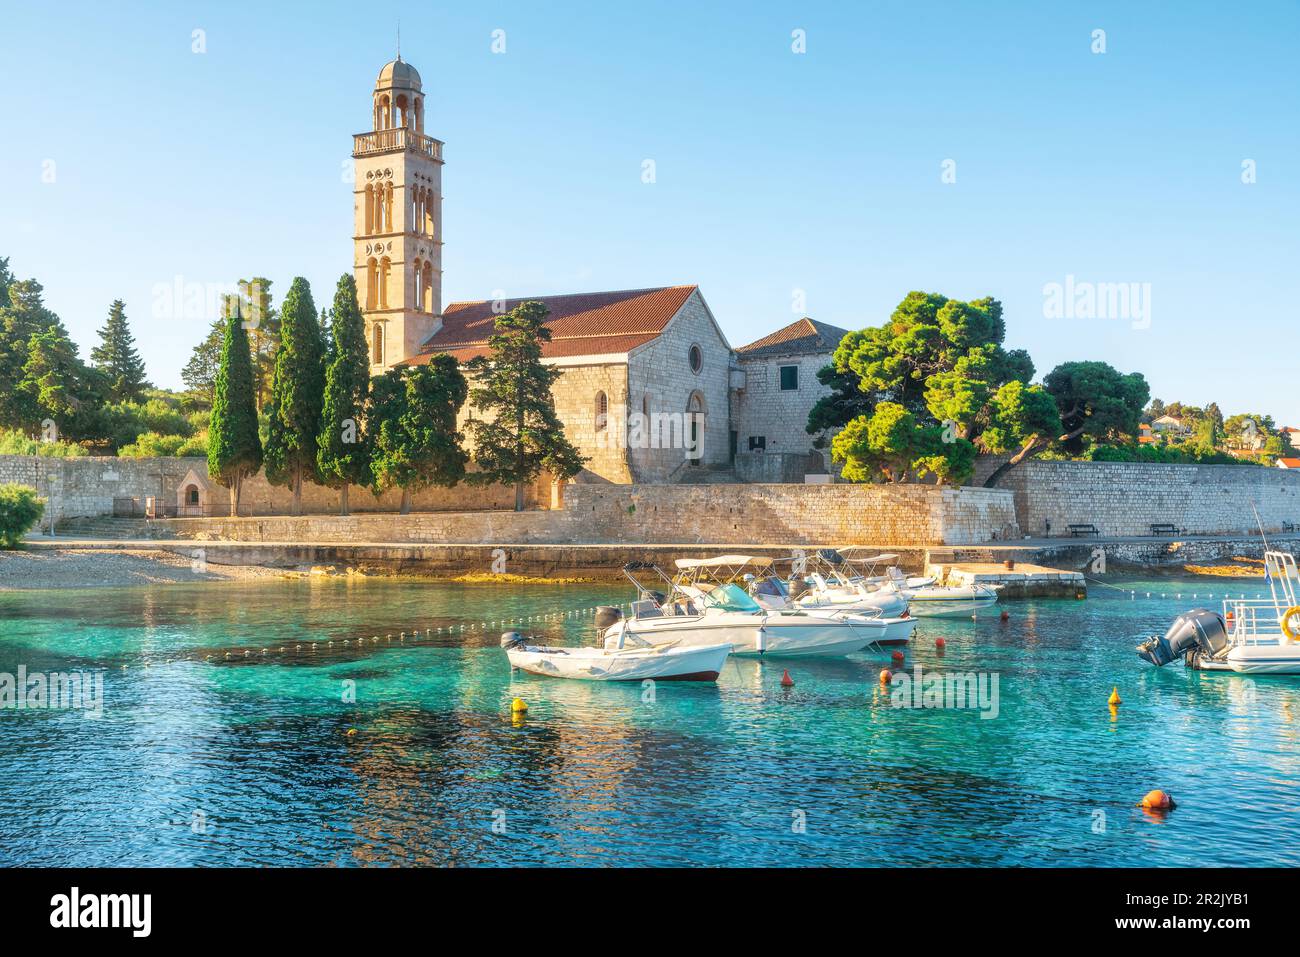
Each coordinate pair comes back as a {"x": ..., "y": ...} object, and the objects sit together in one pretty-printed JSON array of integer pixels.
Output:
[{"x": 774, "y": 171}]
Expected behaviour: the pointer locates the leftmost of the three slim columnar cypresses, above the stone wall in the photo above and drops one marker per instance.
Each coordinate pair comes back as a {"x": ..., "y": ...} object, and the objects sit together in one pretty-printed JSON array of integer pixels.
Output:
[{"x": 235, "y": 449}]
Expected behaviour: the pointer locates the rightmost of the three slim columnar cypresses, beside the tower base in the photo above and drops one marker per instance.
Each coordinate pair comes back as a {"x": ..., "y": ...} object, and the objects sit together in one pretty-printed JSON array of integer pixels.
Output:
[{"x": 343, "y": 458}]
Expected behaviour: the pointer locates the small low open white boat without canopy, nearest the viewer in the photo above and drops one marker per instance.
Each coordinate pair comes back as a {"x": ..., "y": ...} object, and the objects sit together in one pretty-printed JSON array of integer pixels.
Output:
[{"x": 665, "y": 662}]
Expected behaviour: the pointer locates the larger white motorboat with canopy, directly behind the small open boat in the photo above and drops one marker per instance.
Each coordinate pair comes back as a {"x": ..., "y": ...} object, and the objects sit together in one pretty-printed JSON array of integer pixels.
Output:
[{"x": 701, "y": 613}]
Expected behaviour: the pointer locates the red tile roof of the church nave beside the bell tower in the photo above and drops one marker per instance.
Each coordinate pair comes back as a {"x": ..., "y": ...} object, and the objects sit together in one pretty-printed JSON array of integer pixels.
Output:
[{"x": 580, "y": 324}]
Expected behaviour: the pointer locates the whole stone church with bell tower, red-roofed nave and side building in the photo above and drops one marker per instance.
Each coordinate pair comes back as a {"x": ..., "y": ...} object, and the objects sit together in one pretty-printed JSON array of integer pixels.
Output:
[{"x": 652, "y": 389}]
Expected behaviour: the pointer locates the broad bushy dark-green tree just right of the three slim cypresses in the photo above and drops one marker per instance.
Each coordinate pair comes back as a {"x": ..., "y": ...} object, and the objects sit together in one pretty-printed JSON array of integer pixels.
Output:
[{"x": 413, "y": 422}]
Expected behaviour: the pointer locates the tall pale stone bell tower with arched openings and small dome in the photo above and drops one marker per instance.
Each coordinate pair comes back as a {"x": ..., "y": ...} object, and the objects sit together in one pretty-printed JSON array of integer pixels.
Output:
[{"x": 397, "y": 237}]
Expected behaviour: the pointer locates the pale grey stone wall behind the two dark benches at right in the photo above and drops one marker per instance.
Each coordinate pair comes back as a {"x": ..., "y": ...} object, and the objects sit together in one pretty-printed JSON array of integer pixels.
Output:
[{"x": 1125, "y": 499}]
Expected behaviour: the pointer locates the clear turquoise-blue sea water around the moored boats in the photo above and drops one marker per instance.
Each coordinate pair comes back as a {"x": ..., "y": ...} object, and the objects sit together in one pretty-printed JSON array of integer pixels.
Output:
[{"x": 207, "y": 760}]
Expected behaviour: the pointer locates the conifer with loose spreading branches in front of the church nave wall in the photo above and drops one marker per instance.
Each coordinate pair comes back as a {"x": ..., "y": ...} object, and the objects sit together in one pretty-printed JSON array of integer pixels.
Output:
[{"x": 525, "y": 436}]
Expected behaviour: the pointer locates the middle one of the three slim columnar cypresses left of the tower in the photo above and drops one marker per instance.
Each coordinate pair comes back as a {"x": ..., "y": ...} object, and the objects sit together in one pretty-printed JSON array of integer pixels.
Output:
[{"x": 297, "y": 393}]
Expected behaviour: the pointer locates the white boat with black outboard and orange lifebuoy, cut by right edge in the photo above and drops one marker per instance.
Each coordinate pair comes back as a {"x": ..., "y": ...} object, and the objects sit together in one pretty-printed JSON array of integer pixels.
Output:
[{"x": 1253, "y": 636}]
